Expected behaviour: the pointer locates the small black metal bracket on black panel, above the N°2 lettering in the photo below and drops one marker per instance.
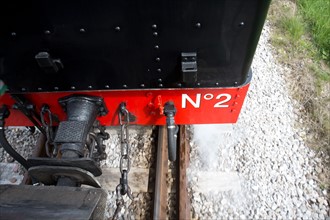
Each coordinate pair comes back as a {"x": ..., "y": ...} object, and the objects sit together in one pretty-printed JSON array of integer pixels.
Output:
[{"x": 189, "y": 67}]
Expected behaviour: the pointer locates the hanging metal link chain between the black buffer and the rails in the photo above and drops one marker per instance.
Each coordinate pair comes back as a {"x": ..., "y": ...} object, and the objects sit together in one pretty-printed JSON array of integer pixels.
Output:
[{"x": 124, "y": 164}]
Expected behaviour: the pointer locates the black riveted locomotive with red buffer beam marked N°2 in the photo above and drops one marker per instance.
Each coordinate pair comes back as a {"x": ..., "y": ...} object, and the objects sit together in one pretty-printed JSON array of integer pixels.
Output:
[{"x": 71, "y": 68}]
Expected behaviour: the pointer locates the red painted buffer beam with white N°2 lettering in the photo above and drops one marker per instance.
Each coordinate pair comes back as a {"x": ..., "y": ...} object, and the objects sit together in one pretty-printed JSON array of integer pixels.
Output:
[{"x": 194, "y": 106}]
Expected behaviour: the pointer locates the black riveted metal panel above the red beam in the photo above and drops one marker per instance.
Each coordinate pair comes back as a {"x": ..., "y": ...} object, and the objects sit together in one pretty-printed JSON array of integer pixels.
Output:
[{"x": 126, "y": 44}]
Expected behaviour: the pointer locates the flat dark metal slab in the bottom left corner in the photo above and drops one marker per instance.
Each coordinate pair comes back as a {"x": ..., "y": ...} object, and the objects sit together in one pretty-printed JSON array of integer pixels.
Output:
[{"x": 47, "y": 202}]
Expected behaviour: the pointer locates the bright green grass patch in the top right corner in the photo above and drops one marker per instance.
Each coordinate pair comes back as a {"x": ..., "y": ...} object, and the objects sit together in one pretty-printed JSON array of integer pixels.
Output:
[{"x": 317, "y": 14}]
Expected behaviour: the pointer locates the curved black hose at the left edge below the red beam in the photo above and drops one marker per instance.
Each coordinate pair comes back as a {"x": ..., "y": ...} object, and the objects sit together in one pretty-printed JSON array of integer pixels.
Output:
[{"x": 4, "y": 113}]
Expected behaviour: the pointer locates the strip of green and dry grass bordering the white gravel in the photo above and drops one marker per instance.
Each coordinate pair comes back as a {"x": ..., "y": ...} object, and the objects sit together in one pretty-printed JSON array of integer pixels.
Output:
[{"x": 301, "y": 39}]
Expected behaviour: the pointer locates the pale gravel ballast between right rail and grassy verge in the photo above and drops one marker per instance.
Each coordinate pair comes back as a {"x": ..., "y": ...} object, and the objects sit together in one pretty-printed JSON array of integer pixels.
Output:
[{"x": 277, "y": 173}]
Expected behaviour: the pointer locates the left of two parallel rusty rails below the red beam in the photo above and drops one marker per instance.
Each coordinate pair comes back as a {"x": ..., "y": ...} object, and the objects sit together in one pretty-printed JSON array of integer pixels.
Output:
[{"x": 160, "y": 198}]
